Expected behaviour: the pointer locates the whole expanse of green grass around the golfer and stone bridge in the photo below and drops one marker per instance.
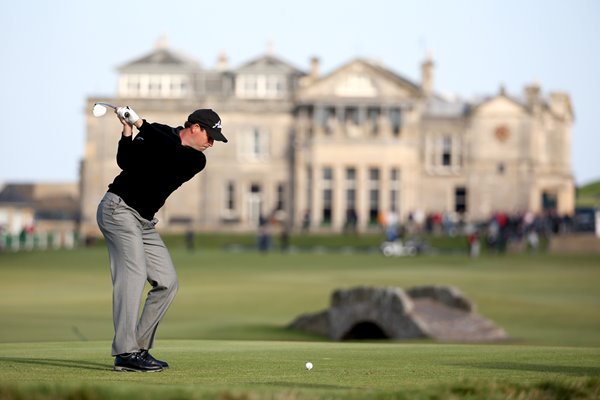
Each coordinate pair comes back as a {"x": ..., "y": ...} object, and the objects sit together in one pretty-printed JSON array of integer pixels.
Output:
[{"x": 225, "y": 334}]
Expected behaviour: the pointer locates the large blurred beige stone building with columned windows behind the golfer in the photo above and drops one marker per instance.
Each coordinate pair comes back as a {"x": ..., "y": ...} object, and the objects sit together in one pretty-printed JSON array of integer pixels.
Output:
[{"x": 361, "y": 138}]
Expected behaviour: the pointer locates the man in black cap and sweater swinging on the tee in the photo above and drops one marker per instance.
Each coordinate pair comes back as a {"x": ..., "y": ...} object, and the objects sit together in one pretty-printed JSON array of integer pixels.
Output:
[{"x": 154, "y": 164}]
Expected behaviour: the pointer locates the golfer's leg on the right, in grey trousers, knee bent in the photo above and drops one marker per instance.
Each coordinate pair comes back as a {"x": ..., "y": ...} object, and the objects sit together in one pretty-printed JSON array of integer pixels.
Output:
[{"x": 163, "y": 278}]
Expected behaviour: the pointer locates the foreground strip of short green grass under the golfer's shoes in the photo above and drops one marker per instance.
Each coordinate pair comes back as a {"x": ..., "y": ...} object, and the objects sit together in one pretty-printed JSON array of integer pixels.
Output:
[{"x": 275, "y": 370}]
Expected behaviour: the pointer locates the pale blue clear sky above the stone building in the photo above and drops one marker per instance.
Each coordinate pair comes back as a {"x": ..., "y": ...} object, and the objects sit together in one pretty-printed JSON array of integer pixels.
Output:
[{"x": 56, "y": 54}]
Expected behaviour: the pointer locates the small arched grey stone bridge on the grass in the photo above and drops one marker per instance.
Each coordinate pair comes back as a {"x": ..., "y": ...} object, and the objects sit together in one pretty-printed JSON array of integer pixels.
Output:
[{"x": 436, "y": 312}]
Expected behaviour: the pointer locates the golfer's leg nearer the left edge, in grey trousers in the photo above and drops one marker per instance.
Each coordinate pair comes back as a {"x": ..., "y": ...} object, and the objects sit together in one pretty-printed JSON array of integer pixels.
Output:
[{"x": 123, "y": 235}]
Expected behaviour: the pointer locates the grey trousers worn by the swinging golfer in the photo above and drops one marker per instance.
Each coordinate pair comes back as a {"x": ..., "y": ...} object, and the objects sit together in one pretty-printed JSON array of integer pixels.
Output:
[{"x": 137, "y": 254}]
